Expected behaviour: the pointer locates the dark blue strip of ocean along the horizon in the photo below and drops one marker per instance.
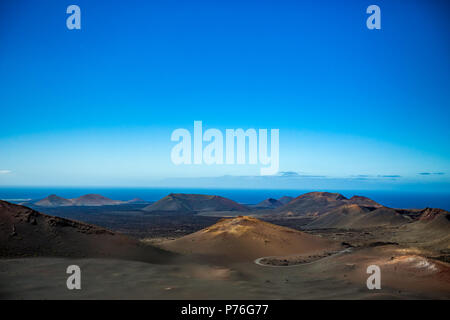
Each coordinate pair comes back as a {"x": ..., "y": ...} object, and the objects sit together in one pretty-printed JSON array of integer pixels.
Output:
[{"x": 395, "y": 199}]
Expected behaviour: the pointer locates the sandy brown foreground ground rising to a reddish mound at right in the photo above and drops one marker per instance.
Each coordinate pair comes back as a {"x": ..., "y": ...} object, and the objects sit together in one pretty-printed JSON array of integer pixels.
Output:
[{"x": 405, "y": 275}]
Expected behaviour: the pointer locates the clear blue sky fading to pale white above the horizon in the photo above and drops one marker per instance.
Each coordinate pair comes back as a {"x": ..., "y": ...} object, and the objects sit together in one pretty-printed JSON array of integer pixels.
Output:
[{"x": 97, "y": 106}]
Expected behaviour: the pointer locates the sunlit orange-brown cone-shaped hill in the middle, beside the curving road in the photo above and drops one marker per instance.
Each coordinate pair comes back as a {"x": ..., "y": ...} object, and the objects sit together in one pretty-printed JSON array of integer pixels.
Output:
[{"x": 247, "y": 238}]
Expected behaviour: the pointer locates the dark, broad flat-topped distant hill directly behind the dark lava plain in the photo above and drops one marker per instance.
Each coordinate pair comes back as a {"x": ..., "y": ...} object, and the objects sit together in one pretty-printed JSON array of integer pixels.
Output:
[{"x": 180, "y": 202}]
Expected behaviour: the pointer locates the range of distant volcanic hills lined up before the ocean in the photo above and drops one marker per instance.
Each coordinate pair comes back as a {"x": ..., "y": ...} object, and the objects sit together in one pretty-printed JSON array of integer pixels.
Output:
[{"x": 324, "y": 209}]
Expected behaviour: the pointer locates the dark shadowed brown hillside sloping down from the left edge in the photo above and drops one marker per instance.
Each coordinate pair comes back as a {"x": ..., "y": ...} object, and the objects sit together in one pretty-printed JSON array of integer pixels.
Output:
[{"x": 25, "y": 232}]
